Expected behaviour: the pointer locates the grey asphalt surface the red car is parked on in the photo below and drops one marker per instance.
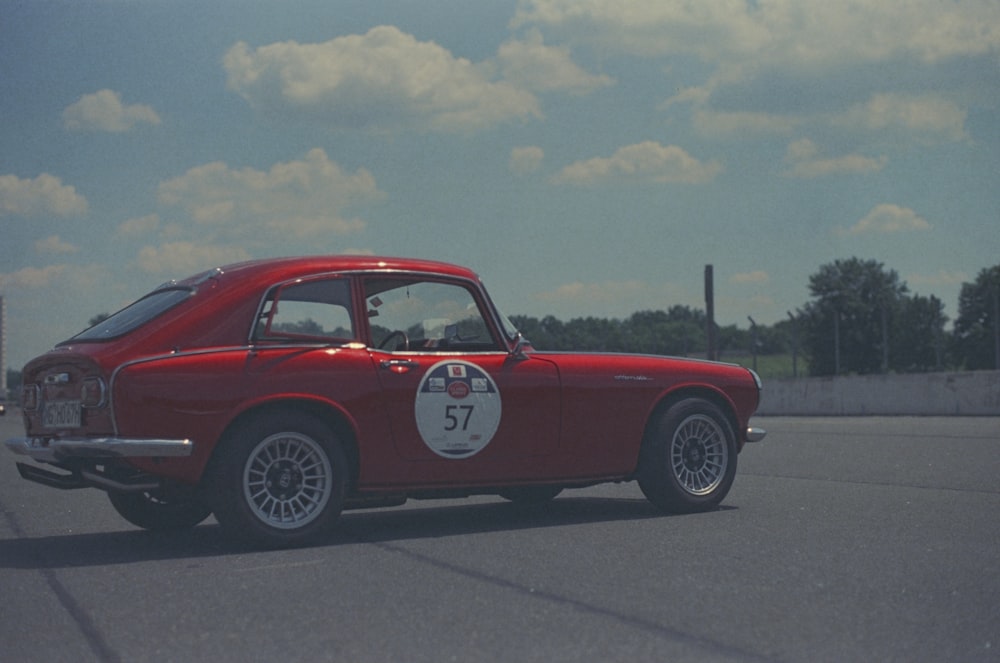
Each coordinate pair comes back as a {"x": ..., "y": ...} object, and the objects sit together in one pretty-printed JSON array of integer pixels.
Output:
[{"x": 842, "y": 539}]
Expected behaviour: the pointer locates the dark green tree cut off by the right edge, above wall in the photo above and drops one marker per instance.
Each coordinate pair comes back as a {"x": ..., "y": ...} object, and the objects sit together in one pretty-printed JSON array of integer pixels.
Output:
[{"x": 974, "y": 342}]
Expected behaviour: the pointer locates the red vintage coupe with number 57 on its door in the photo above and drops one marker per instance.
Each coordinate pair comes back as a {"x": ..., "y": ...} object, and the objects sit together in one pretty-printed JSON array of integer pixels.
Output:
[{"x": 275, "y": 393}]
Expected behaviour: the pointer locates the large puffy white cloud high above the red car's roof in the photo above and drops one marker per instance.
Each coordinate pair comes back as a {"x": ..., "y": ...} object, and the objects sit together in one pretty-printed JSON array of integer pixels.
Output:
[{"x": 382, "y": 80}]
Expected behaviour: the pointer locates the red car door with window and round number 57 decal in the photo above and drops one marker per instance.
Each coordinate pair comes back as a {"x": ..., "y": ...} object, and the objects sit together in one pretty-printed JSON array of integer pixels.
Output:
[{"x": 461, "y": 408}]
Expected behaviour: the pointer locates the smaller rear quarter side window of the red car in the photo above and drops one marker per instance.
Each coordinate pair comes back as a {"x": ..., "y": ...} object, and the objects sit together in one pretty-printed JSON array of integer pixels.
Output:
[{"x": 312, "y": 310}]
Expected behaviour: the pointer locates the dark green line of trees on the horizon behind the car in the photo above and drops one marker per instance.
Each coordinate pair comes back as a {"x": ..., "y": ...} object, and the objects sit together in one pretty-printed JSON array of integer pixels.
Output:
[{"x": 862, "y": 319}]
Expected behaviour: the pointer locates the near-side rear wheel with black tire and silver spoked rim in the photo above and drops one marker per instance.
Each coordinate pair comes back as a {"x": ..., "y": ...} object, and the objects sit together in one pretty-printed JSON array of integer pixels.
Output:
[{"x": 278, "y": 479}]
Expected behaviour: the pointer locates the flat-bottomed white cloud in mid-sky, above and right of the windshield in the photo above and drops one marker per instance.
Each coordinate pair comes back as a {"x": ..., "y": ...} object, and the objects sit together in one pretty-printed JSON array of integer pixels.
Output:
[{"x": 649, "y": 161}]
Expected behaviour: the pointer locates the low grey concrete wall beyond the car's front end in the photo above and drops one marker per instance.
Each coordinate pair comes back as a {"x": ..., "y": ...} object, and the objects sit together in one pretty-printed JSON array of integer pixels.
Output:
[{"x": 972, "y": 393}]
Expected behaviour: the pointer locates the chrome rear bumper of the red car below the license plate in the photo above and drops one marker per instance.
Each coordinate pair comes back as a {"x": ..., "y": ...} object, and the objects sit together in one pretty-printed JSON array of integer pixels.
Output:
[{"x": 51, "y": 450}]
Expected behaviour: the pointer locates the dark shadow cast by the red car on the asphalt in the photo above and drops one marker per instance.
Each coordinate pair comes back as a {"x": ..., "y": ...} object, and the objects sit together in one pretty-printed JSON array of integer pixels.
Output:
[{"x": 353, "y": 528}]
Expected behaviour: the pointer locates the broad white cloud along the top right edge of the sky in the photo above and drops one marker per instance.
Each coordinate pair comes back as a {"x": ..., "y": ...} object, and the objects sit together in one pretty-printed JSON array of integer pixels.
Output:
[{"x": 786, "y": 33}]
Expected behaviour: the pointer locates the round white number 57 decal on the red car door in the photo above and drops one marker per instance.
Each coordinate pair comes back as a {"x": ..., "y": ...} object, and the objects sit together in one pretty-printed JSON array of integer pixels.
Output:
[{"x": 458, "y": 409}]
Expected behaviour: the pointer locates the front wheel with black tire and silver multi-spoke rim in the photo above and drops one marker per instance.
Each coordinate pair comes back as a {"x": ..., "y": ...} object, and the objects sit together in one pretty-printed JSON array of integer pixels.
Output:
[{"x": 688, "y": 459}]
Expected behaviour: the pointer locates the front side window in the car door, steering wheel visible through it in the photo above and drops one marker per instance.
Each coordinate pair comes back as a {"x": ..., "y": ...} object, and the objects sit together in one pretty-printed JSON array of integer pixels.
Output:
[{"x": 425, "y": 316}]
